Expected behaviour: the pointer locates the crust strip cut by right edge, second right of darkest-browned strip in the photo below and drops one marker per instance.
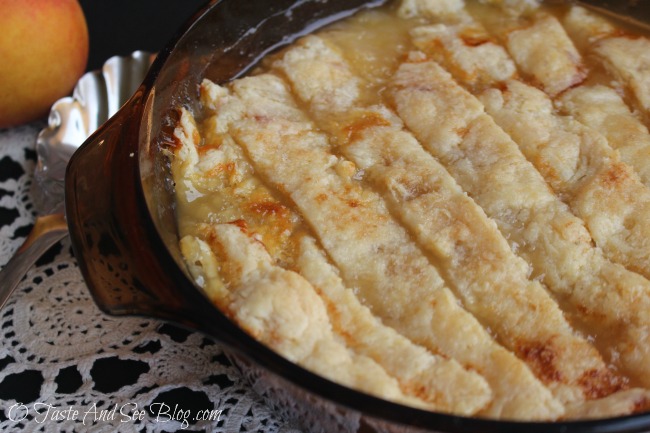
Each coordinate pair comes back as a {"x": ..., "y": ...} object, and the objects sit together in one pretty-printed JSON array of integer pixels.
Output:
[{"x": 583, "y": 170}]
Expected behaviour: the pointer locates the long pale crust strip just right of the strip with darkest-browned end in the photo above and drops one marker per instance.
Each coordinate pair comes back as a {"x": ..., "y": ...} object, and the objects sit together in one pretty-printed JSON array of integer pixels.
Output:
[{"x": 452, "y": 125}]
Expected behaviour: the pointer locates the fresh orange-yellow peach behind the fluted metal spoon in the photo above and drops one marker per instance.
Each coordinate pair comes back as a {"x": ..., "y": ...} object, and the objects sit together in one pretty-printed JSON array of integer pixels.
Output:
[{"x": 43, "y": 52}]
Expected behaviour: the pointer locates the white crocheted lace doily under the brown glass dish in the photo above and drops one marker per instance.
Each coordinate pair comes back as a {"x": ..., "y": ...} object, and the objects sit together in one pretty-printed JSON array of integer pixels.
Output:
[{"x": 66, "y": 366}]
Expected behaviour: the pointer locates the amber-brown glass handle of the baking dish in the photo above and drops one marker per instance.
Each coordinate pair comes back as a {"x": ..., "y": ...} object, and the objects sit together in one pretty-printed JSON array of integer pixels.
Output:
[{"x": 124, "y": 261}]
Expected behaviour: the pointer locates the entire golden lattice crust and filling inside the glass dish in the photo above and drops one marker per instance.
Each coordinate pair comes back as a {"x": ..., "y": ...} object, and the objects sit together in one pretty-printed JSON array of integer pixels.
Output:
[{"x": 469, "y": 238}]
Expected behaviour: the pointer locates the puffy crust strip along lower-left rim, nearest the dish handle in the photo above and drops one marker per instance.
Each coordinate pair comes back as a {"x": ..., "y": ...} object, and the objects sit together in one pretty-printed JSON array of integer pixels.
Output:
[{"x": 282, "y": 310}]
